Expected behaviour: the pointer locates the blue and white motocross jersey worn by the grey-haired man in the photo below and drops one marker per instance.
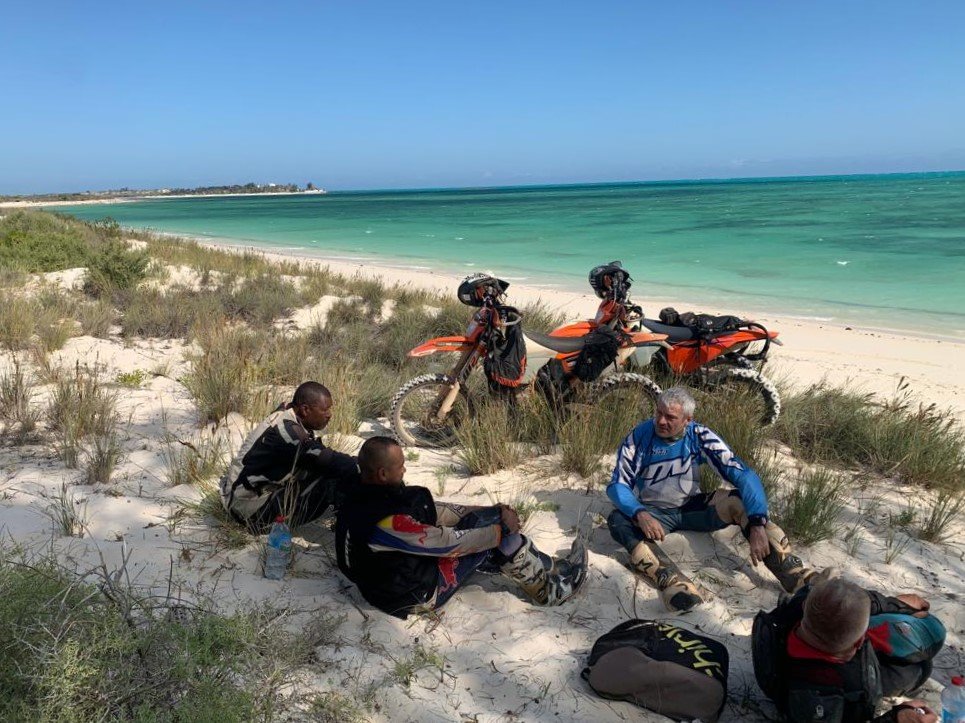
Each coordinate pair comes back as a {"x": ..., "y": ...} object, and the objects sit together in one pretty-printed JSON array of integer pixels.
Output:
[{"x": 655, "y": 473}]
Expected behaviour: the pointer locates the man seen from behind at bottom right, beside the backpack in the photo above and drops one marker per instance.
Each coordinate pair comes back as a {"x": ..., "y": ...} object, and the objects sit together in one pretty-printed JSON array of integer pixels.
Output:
[{"x": 833, "y": 651}]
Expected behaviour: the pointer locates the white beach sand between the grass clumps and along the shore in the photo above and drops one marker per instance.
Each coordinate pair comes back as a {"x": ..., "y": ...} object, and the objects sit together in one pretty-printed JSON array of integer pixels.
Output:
[{"x": 502, "y": 658}]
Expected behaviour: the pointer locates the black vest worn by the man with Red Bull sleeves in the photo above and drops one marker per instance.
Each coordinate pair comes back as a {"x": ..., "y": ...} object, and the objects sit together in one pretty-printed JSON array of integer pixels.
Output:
[{"x": 394, "y": 582}]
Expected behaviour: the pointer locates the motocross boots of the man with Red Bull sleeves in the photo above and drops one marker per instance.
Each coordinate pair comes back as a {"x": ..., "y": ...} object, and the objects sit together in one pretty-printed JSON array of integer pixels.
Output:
[{"x": 526, "y": 568}]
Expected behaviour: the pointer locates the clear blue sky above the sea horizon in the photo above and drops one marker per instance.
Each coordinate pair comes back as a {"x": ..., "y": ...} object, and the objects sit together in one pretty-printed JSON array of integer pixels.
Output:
[{"x": 357, "y": 94}]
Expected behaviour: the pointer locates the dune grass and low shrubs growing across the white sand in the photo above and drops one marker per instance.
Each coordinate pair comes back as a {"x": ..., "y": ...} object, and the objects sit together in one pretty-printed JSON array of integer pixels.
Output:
[{"x": 89, "y": 657}]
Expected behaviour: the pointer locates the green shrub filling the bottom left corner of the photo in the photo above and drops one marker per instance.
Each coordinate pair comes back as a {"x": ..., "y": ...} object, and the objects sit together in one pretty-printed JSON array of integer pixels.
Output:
[{"x": 80, "y": 652}]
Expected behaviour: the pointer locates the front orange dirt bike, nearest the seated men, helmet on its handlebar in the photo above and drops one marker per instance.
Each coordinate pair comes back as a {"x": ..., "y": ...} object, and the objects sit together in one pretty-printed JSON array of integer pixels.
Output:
[{"x": 426, "y": 411}]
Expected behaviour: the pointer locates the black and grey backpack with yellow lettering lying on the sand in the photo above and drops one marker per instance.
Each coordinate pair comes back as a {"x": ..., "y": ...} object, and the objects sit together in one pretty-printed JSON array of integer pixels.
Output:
[{"x": 662, "y": 667}]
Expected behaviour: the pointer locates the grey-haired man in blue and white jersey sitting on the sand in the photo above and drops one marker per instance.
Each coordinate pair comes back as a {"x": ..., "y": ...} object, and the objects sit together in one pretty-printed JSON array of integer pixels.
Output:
[{"x": 656, "y": 490}]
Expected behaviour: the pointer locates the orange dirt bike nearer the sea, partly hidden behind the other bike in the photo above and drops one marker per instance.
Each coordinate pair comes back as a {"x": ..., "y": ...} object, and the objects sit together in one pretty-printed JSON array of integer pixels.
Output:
[{"x": 711, "y": 354}]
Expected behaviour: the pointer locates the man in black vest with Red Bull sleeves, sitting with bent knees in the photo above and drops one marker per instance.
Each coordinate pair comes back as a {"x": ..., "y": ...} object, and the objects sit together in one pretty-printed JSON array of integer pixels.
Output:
[{"x": 405, "y": 551}]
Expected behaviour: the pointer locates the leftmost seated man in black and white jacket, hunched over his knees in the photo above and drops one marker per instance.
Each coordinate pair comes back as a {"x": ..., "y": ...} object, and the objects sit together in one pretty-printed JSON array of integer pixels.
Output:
[{"x": 283, "y": 469}]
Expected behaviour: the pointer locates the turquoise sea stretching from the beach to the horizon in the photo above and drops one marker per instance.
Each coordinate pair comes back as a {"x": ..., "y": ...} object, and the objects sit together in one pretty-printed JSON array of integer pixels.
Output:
[{"x": 881, "y": 251}]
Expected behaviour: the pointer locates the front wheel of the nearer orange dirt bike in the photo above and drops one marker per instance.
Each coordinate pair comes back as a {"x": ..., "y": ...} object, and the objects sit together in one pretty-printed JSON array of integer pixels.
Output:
[{"x": 415, "y": 412}]
